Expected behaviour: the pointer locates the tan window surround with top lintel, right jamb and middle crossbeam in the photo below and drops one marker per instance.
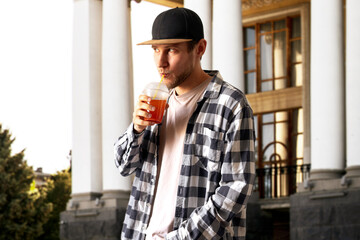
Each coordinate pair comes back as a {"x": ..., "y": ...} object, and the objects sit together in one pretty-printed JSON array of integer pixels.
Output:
[{"x": 293, "y": 97}]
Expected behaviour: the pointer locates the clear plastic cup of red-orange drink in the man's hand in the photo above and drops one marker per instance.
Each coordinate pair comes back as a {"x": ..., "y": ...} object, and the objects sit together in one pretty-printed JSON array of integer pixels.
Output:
[{"x": 159, "y": 93}]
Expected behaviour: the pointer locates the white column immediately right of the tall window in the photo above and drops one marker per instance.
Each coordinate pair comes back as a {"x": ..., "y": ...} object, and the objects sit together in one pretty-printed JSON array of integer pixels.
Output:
[{"x": 327, "y": 89}]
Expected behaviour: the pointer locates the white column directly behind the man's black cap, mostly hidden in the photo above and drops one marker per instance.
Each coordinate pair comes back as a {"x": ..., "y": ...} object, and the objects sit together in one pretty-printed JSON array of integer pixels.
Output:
[{"x": 204, "y": 9}]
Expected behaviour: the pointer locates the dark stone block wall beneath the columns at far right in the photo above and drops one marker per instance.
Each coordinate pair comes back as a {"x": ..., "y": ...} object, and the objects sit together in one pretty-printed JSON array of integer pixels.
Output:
[{"x": 331, "y": 214}]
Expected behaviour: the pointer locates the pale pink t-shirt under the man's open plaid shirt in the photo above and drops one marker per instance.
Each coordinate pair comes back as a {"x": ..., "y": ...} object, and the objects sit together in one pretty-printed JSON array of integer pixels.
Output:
[{"x": 172, "y": 135}]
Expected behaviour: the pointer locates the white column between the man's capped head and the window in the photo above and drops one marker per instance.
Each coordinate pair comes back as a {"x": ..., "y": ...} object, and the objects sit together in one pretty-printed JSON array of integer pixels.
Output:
[{"x": 228, "y": 41}]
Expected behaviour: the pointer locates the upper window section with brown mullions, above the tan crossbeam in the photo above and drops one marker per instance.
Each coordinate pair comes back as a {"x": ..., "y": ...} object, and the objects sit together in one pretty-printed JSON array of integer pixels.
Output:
[{"x": 272, "y": 52}]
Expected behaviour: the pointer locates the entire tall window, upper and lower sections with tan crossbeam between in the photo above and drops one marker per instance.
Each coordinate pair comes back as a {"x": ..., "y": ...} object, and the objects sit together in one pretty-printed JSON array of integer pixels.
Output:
[{"x": 273, "y": 81}]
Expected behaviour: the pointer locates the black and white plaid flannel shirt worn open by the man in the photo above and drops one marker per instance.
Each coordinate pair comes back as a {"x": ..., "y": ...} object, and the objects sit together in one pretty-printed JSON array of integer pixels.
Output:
[{"x": 217, "y": 171}]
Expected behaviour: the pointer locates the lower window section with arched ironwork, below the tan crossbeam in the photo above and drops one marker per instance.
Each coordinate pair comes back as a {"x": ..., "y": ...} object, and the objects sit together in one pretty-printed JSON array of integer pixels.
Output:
[{"x": 279, "y": 152}]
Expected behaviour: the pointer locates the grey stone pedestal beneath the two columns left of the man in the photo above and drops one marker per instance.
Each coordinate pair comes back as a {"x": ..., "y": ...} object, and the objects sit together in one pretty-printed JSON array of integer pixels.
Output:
[{"x": 94, "y": 216}]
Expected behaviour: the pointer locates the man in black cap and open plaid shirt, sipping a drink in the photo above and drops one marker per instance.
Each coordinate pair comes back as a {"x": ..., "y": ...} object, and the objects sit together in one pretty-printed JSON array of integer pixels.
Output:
[{"x": 194, "y": 172}]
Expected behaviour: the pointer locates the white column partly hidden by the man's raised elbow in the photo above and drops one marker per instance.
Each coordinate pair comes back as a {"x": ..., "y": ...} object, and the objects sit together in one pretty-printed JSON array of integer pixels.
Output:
[{"x": 117, "y": 87}]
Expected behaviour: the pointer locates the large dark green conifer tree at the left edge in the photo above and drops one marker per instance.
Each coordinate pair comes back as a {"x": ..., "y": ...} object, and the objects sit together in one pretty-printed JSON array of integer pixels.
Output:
[{"x": 22, "y": 213}]
